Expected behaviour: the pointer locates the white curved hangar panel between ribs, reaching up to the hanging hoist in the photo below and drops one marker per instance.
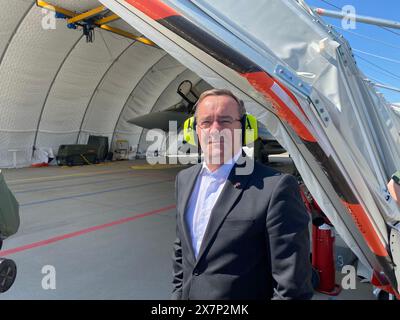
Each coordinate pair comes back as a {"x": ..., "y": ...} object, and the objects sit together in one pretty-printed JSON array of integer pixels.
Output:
[{"x": 76, "y": 81}]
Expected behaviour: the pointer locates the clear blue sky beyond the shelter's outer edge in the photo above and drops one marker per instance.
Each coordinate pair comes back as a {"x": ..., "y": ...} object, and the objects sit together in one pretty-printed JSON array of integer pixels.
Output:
[{"x": 372, "y": 40}]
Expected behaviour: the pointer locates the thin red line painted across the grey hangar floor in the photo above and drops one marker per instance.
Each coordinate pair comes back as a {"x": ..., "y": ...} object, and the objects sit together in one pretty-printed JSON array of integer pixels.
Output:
[{"x": 82, "y": 232}]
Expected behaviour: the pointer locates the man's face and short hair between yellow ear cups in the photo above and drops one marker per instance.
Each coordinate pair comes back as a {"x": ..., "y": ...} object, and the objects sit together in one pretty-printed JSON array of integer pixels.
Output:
[{"x": 219, "y": 128}]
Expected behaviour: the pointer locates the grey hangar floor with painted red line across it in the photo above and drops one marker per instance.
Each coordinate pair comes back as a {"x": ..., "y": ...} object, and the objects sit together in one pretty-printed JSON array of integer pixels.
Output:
[{"x": 106, "y": 229}]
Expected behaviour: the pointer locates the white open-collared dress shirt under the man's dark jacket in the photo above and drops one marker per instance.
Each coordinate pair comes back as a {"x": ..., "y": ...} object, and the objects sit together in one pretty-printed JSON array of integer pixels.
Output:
[{"x": 205, "y": 194}]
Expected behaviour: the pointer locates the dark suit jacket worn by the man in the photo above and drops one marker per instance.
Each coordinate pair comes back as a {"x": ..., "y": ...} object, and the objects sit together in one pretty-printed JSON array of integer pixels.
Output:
[{"x": 256, "y": 244}]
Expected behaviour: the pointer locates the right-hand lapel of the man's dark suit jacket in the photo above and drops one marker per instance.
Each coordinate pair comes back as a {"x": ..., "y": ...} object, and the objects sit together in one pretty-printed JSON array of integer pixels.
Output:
[{"x": 233, "y": 188}]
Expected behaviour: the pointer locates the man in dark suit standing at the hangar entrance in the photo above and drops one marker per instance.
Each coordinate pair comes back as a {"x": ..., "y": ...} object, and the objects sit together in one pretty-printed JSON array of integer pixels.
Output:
[{"x": 241, "y": 234}]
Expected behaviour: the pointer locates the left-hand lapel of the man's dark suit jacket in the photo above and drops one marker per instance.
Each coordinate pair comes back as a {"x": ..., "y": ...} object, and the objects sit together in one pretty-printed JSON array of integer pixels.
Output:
[{"x": 187, "y": 190}]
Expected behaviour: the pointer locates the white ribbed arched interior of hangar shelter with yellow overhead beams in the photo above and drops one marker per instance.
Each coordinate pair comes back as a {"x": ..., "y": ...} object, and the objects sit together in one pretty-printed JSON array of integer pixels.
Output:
[{"x": 58, "y": 88}]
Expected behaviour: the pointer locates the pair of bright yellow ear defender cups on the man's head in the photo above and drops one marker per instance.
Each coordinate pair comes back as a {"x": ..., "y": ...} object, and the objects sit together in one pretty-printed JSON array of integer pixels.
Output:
[{"x": 249, "y": 130}]
